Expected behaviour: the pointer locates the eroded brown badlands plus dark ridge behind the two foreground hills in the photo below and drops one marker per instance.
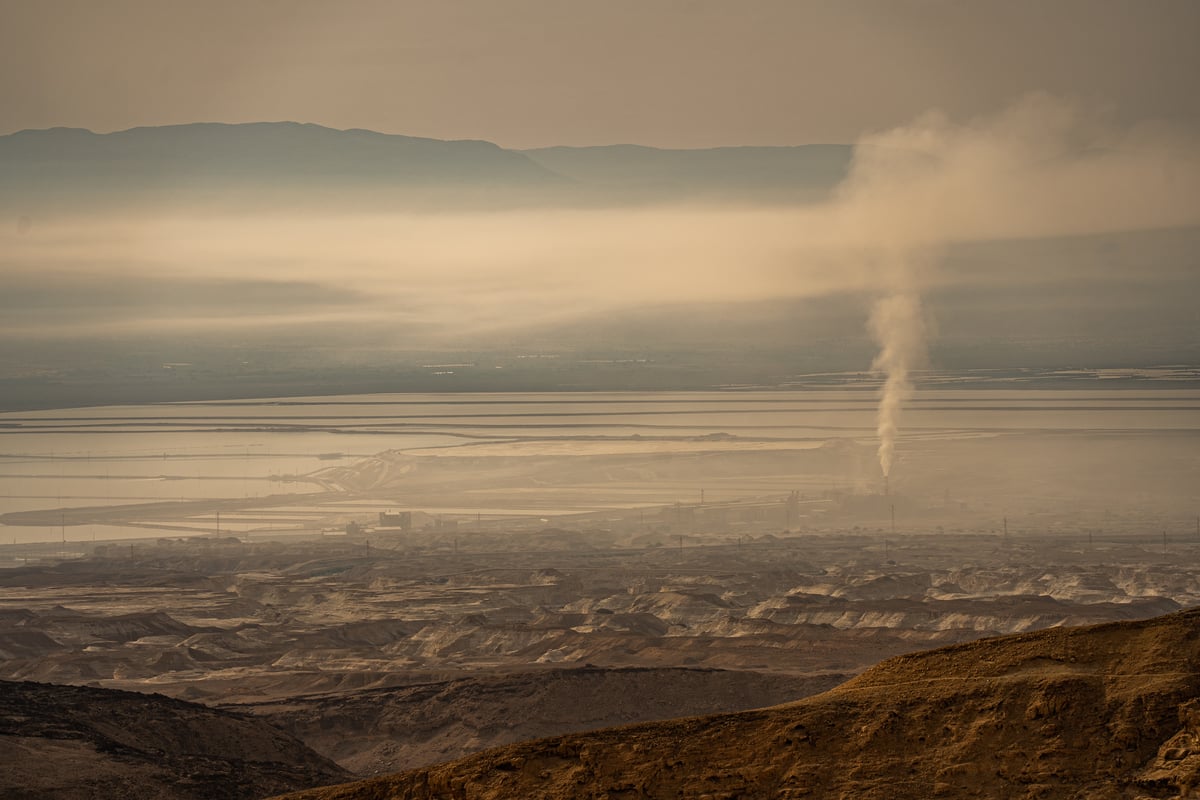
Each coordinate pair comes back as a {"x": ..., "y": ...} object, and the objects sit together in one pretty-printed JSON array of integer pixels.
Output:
[{"x": 422, "y": 647}]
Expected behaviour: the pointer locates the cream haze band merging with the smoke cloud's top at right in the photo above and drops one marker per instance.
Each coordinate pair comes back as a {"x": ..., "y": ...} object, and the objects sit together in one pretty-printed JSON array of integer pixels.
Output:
[{"x": 1039, "y": 171}]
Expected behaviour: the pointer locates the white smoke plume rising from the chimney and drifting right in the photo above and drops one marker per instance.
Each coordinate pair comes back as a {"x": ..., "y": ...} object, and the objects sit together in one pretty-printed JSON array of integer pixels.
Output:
[{"x": 1040, "y": 169}]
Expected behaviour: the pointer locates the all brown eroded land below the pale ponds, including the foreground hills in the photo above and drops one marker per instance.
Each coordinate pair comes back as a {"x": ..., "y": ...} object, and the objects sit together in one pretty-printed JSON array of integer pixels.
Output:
[{"x": 308, "y": 661}]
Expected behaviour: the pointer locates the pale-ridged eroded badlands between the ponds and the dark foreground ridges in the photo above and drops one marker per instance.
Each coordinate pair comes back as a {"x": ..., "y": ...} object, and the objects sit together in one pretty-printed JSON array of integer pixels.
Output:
[{"x": 227, "y": 622}]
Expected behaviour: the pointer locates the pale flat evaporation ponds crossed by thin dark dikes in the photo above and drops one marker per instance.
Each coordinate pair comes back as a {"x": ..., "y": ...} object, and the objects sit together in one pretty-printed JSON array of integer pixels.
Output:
[{"x": 238, "y": 449}]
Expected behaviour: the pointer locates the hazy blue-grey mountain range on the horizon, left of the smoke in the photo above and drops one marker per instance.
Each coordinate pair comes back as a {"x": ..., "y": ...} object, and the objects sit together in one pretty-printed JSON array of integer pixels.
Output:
[{"x": 197, "y": 160}]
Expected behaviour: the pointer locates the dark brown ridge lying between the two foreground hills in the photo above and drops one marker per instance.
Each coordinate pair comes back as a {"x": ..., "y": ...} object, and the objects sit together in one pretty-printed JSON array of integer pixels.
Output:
[{"x": 389, "y": 730}]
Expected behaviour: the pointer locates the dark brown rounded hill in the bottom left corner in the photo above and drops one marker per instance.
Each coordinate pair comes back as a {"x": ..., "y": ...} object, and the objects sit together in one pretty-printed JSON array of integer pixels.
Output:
[{"x": 76, "y": 743}]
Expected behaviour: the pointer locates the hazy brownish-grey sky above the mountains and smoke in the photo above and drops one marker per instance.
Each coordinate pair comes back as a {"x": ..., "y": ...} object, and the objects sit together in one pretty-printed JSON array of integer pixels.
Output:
[{"x": 541, "y": 73}]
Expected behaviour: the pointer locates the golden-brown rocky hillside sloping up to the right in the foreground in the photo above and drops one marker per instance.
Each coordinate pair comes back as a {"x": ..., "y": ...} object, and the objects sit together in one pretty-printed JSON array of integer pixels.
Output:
[{"x": 1102, "y": 713}]
